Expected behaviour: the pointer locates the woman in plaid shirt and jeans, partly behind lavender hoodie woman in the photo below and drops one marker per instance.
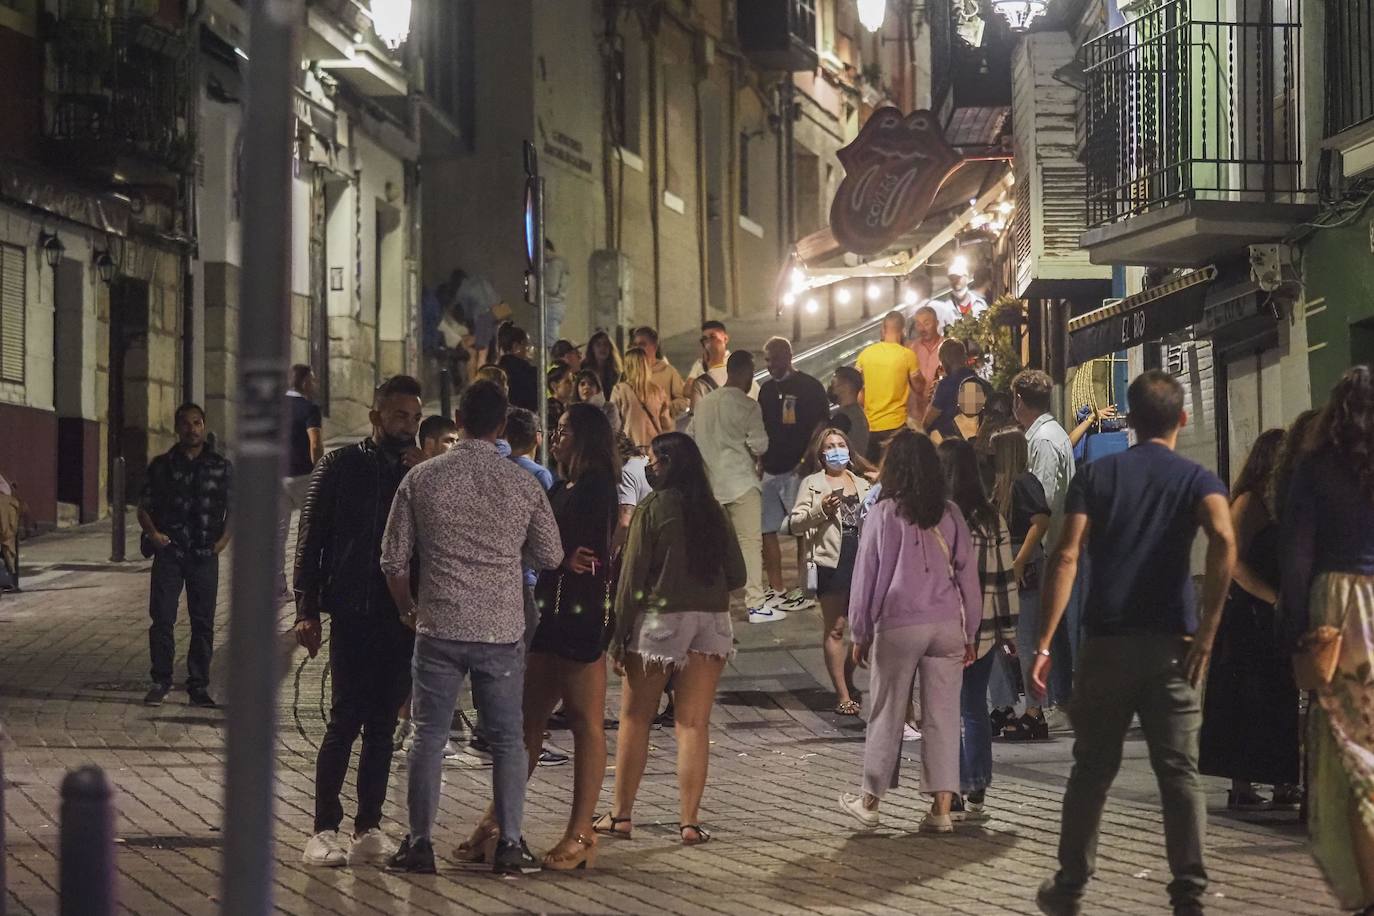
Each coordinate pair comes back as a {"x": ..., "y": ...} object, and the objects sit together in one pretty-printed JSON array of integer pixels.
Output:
[{"x": 998, "y": 623}]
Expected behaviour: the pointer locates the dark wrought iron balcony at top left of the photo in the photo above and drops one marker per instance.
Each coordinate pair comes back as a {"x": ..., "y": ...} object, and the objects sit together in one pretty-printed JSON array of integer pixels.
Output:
[{"x": 119, "y": 89}]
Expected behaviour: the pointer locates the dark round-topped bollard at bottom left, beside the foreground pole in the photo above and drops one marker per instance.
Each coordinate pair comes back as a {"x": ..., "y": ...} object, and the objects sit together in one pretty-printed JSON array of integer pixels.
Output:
[{"x": 86, "y": 867}]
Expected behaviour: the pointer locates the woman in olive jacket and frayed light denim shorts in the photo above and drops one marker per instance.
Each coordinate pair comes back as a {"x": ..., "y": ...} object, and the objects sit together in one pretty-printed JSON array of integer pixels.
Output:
[{"x": 673, "y": 610}]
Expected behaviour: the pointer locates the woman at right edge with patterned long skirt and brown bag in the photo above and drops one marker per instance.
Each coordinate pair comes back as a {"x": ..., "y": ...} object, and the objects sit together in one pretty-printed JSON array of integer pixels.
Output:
[{"x": 1328, "y": 582}]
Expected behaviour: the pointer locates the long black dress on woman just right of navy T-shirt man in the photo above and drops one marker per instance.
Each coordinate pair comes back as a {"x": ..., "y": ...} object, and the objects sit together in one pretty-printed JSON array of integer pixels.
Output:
[{"x": 1250, "y": 713}]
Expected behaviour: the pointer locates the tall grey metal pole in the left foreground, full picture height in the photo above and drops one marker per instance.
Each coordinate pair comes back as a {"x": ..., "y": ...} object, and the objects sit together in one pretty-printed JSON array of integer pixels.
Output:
[{"x": 263, "y": 334}]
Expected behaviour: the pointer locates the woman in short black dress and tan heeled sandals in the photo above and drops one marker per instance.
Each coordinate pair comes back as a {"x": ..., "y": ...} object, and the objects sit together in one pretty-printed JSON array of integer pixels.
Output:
[{"x": 567, "y": 657}]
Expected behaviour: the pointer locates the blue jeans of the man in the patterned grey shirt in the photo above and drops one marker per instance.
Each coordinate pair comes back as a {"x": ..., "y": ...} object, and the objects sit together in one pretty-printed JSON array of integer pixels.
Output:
[{"x": 438, "y": 675}]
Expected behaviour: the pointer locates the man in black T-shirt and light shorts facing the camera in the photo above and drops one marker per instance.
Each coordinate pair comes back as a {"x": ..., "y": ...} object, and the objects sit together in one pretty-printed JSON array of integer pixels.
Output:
[{"x": 795, "y": 407}]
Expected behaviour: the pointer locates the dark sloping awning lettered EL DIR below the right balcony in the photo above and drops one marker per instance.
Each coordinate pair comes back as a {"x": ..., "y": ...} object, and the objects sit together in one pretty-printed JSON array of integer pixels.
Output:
[{"x": 1137, "y": 319}]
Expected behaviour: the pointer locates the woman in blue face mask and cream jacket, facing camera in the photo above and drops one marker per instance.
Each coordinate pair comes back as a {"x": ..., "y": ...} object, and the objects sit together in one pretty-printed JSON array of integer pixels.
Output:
[{"x": 826, "y": 516}]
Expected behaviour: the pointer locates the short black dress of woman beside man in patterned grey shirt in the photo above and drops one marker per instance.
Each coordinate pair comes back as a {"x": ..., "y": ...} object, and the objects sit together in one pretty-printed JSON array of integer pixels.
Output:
[{"x": 576, "y": 617}]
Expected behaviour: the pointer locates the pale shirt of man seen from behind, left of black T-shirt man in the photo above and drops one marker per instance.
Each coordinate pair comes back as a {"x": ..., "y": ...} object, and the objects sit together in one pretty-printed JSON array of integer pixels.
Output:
[{"x": 729, "y": 428}]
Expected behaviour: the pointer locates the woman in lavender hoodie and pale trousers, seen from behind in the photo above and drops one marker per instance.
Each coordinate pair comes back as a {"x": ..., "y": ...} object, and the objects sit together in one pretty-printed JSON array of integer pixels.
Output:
[{"x": 916, "y": 575}]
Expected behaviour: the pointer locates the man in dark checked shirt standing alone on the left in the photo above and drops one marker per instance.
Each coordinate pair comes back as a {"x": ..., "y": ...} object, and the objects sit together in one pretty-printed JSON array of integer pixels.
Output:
[{"x": 185, "y": 514}]
